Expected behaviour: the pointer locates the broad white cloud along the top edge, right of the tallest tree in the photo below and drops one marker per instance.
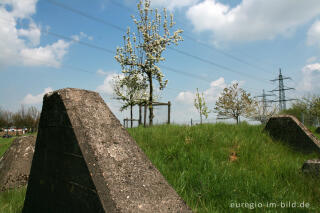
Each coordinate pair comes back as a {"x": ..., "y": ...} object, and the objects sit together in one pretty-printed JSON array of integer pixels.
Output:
[{"x": 252, "y": 19}]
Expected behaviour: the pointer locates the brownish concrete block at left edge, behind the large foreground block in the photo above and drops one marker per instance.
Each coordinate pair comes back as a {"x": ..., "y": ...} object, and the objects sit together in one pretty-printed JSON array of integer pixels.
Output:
[{"x": 16, "y": 162}]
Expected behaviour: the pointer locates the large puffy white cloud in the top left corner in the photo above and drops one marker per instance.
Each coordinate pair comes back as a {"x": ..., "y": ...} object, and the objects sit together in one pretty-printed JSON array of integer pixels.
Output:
[{"x": 20, "y": 46}]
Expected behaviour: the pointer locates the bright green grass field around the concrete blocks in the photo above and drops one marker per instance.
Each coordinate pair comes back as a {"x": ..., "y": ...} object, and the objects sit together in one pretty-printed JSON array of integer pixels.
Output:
[{"x": 216, "y": 167}]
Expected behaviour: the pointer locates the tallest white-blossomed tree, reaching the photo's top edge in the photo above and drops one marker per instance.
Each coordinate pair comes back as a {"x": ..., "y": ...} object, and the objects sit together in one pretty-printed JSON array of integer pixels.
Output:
[{"x": 143, "y": 50}]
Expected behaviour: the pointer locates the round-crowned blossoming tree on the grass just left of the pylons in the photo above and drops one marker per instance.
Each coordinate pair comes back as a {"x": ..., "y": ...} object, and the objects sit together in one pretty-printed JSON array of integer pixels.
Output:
[{"x": 235, "y": 102}]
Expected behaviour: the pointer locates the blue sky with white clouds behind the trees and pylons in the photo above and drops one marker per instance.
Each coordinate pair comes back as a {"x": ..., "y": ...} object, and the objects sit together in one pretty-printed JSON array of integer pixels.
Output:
[{"x": 47, "y": 45}]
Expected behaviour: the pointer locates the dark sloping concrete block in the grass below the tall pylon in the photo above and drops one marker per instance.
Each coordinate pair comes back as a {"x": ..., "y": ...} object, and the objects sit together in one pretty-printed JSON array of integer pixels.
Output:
[{"x": 290, "y": 129}]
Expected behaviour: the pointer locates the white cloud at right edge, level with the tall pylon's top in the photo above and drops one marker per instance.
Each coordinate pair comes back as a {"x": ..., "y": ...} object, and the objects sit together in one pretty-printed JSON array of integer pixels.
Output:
[{"x": 310, "y": 78}]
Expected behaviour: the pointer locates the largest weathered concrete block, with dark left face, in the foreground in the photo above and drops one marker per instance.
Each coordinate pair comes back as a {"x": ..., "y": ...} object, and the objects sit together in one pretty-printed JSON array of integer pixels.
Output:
[{"x": 85, "y": 161}]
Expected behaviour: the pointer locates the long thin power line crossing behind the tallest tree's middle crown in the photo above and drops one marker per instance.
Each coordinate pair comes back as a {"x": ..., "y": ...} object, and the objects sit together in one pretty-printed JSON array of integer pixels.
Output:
[{"x": 123, "y": 30}]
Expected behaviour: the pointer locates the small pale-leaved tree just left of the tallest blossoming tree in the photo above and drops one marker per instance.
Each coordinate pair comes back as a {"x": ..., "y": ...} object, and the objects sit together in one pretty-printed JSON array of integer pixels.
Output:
[{"x": 131, "y": 90}]
